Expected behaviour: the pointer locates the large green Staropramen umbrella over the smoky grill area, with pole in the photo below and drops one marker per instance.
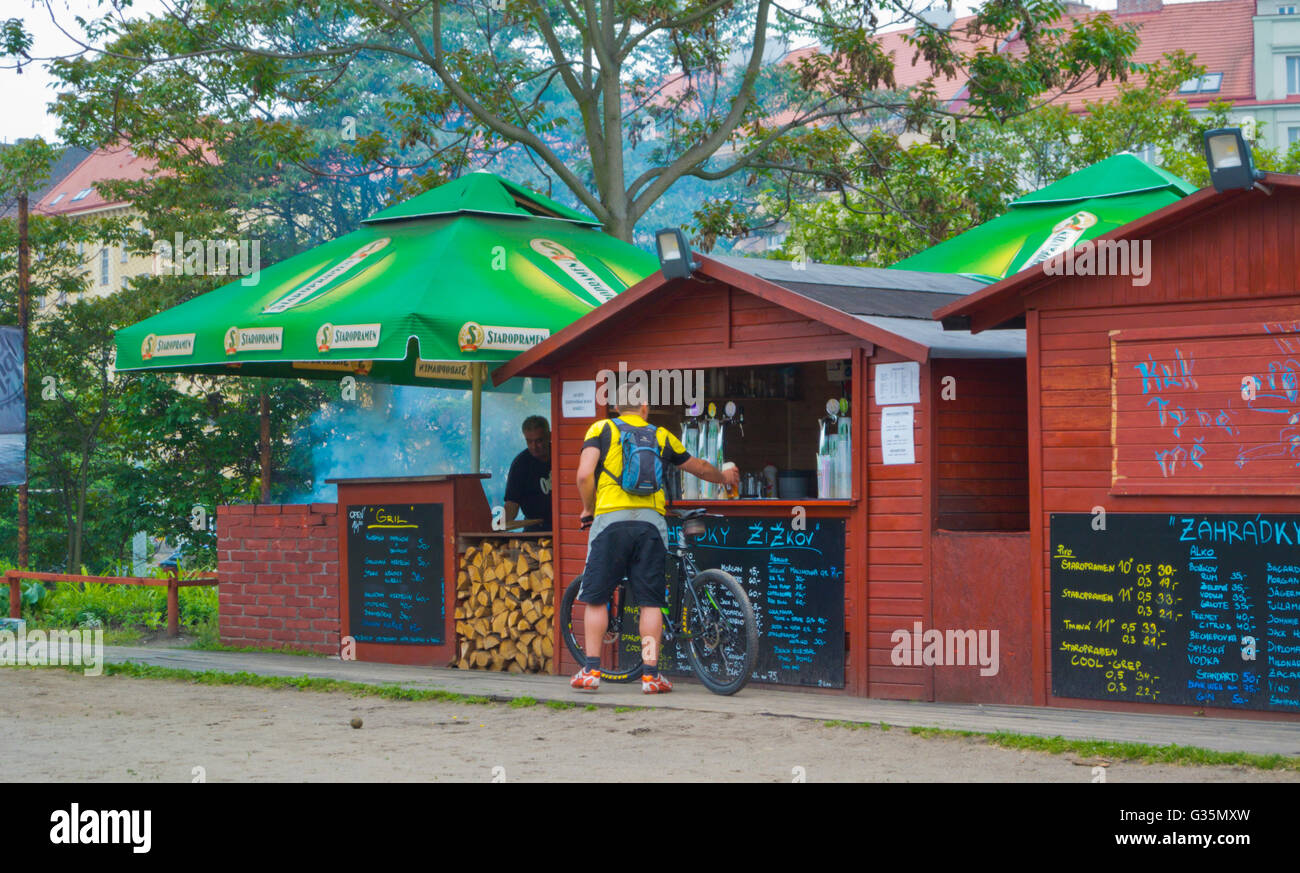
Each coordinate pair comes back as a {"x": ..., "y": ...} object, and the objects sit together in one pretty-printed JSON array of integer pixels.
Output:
[{"x": 430, "y": 292}]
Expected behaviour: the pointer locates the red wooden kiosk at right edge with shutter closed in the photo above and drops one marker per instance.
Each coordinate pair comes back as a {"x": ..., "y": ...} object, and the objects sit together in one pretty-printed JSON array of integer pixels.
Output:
[{"x": 1149, "y": 397}]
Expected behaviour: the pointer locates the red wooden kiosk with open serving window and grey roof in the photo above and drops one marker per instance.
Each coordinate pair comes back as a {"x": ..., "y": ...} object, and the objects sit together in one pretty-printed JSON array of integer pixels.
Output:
[{"x": 736, "y": 316}]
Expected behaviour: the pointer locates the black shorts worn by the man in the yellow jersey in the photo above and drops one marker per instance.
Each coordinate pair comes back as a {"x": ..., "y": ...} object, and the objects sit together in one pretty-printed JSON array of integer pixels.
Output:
[{"x": 627, "y": 549}]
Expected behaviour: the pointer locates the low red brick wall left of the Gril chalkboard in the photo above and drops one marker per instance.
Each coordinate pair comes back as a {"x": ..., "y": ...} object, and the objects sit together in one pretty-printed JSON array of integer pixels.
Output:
[{"x": 278, "y": 568}]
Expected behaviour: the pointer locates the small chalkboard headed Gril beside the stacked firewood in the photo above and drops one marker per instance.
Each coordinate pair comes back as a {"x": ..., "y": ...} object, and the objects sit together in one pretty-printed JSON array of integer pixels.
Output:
[{"x": 396, "y": 575}]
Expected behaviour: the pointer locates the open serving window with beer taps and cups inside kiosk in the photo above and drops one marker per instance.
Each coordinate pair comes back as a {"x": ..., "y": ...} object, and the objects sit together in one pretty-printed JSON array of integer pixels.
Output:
[{"x": 775, "y": 424}]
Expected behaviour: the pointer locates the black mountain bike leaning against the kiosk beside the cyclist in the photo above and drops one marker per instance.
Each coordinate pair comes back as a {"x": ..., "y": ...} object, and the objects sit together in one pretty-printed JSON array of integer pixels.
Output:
[{"x": 709, "y": 615}]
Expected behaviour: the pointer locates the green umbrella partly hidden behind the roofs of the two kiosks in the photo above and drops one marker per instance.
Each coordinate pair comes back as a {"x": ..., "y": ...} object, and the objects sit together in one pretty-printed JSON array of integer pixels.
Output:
[{"x": 1084, "y": 206}]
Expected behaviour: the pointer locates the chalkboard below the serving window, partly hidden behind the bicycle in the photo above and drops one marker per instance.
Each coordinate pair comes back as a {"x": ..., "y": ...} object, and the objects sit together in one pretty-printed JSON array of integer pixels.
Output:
[{"x": 795, "y": 581}]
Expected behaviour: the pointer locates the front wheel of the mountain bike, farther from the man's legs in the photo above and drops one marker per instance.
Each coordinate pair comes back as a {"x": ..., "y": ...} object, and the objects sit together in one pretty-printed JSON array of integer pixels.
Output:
[{"x": 723, "y": 636}]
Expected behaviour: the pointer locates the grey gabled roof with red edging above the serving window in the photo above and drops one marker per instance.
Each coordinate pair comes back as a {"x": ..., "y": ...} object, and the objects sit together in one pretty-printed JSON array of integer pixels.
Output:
[{"x": 889, "y": 309}]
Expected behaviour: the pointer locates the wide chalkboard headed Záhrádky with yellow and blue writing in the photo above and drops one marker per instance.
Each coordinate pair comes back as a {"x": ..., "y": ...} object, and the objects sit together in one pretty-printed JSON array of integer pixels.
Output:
[{"x": 1177, "y": 609}]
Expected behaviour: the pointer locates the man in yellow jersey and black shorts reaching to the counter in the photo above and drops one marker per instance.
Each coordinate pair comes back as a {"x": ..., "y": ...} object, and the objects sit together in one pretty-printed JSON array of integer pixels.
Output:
[{"x": 629, "y": 538}]
